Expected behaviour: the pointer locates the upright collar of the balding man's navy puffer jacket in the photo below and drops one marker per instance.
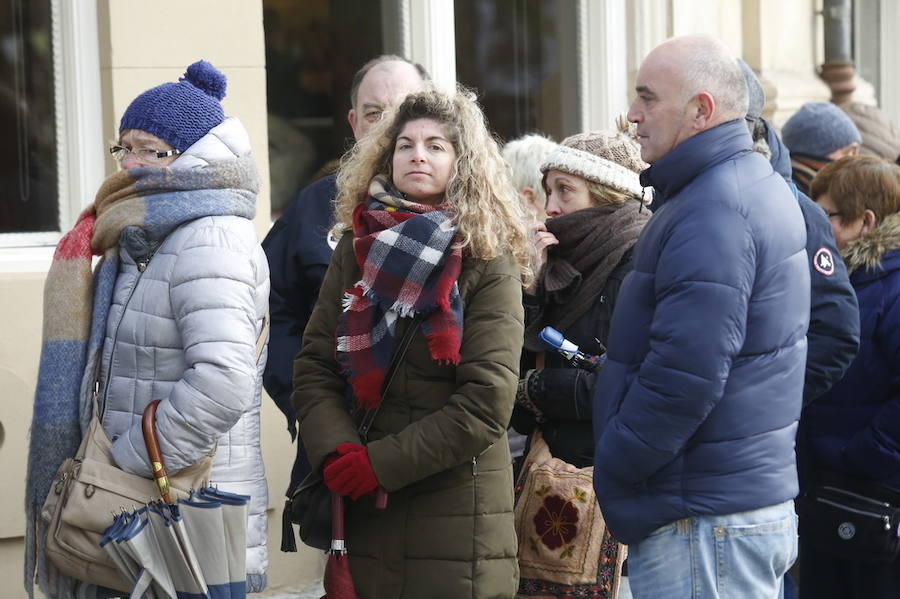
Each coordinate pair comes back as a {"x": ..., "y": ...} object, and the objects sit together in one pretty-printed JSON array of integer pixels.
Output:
[{"x": 675, "y": 170}]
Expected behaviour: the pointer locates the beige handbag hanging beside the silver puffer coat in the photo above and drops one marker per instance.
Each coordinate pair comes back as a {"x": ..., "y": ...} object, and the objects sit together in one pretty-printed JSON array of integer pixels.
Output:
[{"x": 90, "y": 489}]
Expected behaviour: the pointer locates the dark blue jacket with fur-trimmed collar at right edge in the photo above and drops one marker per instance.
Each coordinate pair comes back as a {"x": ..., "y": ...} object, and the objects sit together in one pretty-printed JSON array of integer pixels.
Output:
[{"x": 855, "y": 427}]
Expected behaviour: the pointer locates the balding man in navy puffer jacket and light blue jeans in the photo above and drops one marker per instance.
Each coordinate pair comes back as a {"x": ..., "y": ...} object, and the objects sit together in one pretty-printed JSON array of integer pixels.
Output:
[{"x": 697, "y": 407}]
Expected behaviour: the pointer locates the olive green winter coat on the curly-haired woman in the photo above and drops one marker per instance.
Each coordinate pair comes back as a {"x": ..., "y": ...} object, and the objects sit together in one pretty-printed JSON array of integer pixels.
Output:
[{"x": 438, "y": 445}]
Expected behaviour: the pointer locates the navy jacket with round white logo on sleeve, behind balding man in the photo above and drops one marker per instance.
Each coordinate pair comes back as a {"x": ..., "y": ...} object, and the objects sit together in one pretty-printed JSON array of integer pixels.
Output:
[{"x": 833, "y": 336}]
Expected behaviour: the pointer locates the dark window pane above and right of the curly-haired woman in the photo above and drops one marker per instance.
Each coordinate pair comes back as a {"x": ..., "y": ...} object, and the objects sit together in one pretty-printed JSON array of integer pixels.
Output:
[{"x": 518, "y": 55}]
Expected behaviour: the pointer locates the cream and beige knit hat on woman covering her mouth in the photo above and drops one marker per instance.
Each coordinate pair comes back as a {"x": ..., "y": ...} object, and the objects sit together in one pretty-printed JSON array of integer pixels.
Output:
[{"x": 608, "y": 157}]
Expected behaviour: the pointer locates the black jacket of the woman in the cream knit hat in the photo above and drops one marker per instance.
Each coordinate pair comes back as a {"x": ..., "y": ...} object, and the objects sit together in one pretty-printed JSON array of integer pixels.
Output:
[{"x": 565, "y": 393}]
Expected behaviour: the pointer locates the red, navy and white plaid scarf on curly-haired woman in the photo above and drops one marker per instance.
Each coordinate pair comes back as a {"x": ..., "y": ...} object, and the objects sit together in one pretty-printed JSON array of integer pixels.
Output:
[{"x": 410, "y": 264}]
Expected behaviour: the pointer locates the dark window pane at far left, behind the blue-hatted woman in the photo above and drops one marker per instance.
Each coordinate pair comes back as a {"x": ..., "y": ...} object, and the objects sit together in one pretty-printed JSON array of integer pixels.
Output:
[{"x": 28, "y": 172}]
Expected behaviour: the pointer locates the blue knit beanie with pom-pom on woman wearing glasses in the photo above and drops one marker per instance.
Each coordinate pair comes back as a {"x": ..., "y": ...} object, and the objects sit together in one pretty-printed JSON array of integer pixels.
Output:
[{"x": 180, "y": 113}]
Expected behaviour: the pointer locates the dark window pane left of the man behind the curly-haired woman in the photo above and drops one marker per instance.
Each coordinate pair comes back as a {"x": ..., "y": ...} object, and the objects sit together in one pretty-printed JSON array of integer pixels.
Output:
[{"x": 313, "y": 48}]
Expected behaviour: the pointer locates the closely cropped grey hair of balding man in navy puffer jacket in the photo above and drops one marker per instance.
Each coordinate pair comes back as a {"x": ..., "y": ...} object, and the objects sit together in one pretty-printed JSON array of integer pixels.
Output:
[{"x": 710, "y": 67}]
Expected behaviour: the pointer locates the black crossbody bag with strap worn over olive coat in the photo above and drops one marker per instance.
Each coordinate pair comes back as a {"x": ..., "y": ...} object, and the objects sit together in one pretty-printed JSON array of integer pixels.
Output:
[{"x": 309, "y": 503}]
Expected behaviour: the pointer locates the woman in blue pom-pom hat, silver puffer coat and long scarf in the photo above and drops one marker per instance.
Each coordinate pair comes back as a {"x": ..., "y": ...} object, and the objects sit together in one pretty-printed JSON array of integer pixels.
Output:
[{"x": 173, "y": 311}]
